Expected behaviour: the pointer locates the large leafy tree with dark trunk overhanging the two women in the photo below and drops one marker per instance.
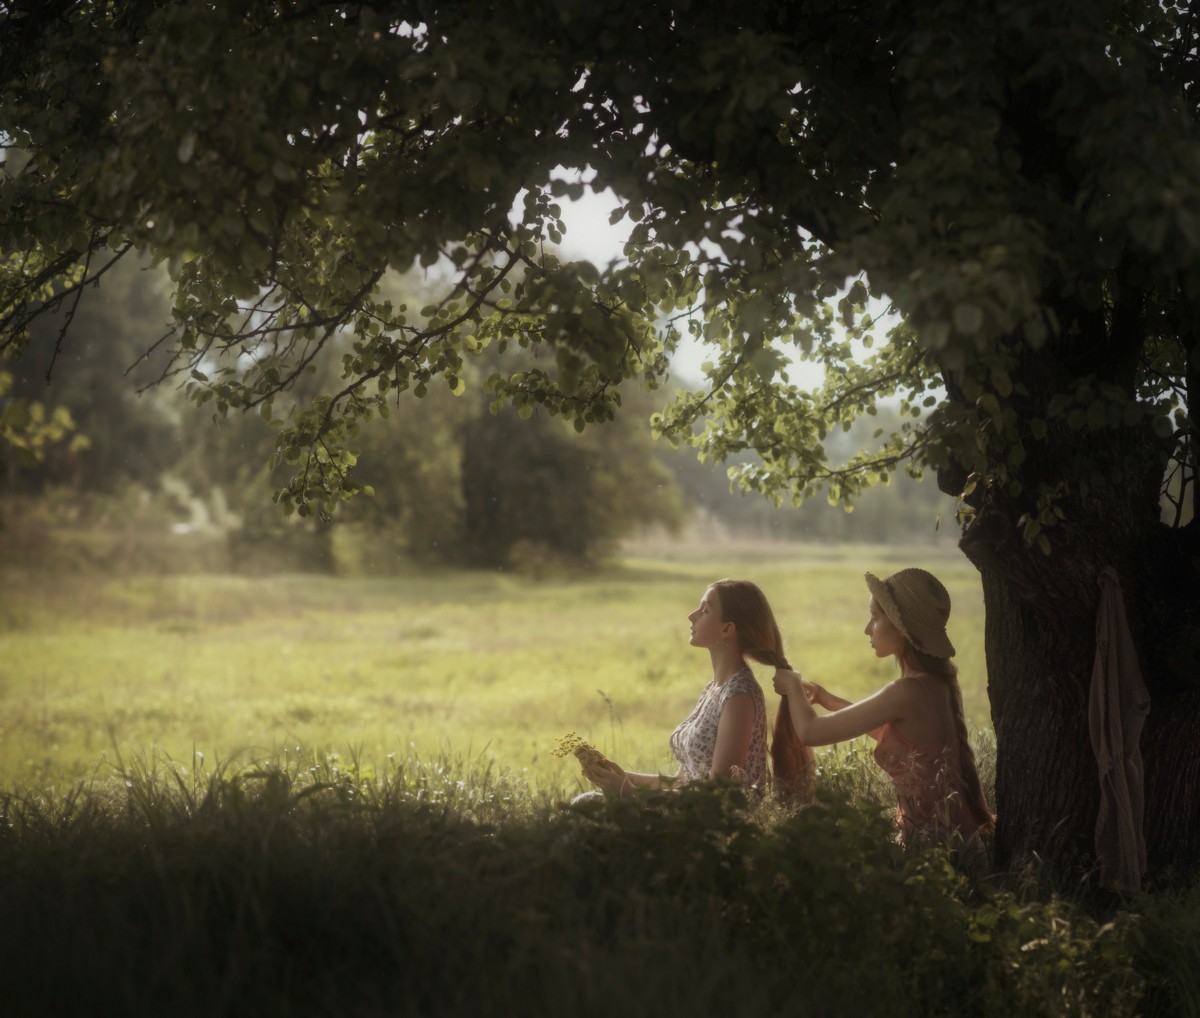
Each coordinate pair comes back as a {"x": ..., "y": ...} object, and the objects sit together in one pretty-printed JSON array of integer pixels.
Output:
[{"x": 1018, "y": 183}]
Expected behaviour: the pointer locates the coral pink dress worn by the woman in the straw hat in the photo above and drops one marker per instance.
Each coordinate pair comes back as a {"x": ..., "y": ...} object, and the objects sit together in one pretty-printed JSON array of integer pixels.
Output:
[{"x": 932, "y": 805}]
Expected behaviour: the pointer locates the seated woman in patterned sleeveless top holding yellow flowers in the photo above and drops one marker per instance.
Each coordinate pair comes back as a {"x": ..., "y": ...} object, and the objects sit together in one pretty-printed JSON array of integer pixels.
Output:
[{"x": 727, "y": 733}]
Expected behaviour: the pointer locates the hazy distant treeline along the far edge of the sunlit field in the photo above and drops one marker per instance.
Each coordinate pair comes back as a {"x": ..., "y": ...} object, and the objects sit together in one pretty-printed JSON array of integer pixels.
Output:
[{"x": 453, "y": 483}]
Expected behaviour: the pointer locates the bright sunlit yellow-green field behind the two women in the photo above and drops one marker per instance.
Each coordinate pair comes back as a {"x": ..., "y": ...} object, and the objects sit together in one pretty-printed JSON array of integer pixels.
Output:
[{"x": 481, "y": 667}]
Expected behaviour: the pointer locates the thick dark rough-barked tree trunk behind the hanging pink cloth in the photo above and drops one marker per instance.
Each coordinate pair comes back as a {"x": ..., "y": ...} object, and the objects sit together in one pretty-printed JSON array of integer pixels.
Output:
[{"x": 1041, "y": 646}]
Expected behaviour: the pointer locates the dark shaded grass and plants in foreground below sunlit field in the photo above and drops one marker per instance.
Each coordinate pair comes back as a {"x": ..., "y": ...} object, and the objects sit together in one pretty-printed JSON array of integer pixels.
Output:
[{"x": 298, "y": 888}]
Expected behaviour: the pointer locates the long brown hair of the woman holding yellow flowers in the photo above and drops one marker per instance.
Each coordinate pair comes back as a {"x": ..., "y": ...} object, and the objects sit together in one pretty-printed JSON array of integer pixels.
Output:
[{"x": 760, "y": 639}]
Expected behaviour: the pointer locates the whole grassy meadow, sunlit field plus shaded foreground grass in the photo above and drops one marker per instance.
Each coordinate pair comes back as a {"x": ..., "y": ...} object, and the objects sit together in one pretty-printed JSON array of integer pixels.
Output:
[{"x": 335, "y": 797}]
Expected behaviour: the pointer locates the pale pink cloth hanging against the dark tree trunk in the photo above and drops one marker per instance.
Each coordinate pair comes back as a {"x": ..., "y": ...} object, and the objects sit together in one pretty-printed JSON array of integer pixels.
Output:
[{"x": 1117, "y": 714}]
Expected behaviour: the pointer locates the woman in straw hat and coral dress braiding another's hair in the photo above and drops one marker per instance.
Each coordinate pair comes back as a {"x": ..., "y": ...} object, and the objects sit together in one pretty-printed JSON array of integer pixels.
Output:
[{"x": 916, "y": 720}]
